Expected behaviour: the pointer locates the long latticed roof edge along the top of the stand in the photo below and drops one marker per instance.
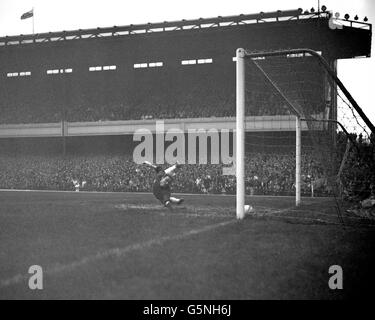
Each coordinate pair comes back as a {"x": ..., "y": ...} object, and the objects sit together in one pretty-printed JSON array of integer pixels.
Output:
[{"x": 241, "y": 19}]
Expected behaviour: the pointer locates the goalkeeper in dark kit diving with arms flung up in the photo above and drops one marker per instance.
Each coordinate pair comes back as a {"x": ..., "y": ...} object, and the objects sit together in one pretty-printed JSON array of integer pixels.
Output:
[{"x": 161, "y": 186}]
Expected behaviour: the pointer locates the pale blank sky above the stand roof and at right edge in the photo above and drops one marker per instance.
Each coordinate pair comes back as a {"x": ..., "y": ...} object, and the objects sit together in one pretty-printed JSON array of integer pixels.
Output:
[{"x": 51, "y": 15}]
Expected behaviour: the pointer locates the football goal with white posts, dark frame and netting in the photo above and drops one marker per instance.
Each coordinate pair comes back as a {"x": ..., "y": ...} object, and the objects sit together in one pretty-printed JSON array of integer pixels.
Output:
[{"x": 303, "y": 133}]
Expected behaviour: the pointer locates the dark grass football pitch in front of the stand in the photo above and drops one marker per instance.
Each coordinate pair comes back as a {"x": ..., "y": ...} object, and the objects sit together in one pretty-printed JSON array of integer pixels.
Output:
[{"x": 127, "y": 246}]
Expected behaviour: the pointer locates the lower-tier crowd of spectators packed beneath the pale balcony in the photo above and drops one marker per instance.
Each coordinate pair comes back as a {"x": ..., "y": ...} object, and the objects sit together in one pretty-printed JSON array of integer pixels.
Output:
[{"x": 266, "y": 174}]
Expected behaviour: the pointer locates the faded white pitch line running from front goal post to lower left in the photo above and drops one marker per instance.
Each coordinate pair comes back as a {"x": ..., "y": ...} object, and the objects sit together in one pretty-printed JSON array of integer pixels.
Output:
[{"x": 114, "y": 252}]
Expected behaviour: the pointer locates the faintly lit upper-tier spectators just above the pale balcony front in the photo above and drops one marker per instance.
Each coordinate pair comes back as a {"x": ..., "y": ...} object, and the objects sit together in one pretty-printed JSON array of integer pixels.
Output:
[{"x": 25, "y": 113}]
